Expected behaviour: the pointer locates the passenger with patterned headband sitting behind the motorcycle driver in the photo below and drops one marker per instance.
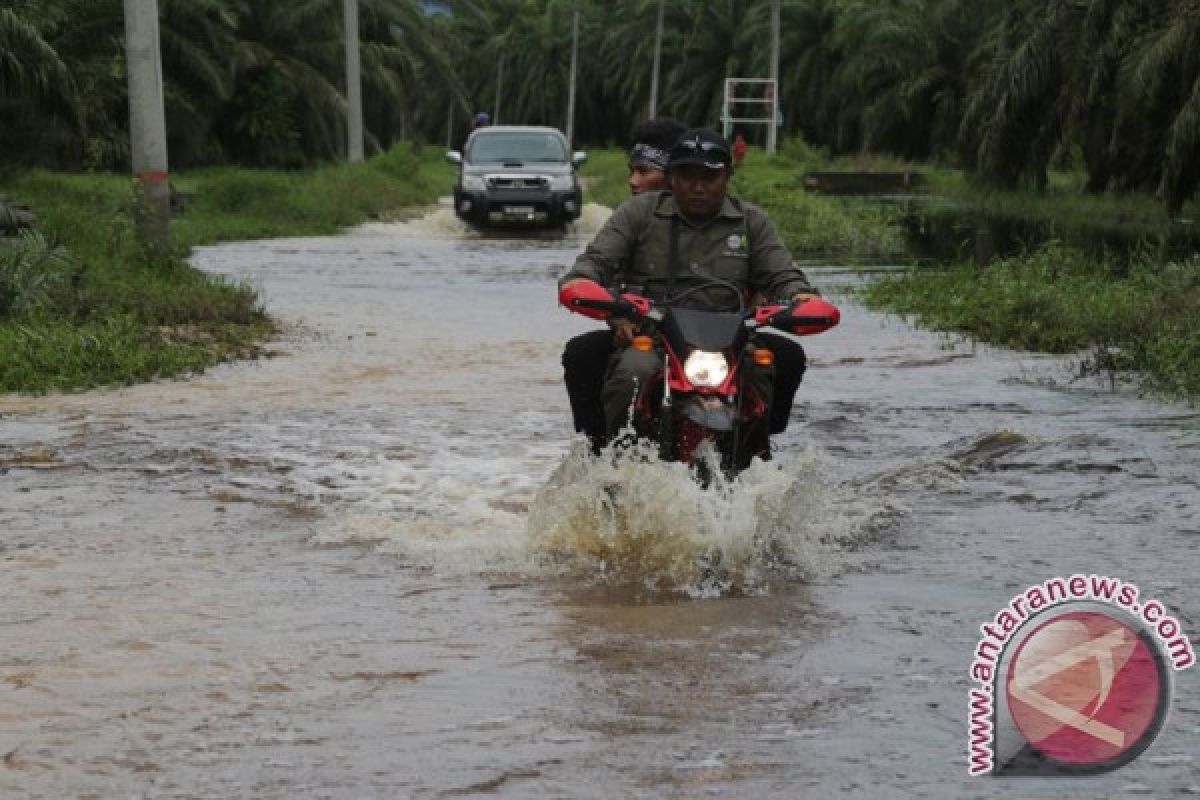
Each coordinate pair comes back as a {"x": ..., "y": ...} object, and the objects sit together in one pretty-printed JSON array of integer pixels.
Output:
[{"x": 586, "y": 357}]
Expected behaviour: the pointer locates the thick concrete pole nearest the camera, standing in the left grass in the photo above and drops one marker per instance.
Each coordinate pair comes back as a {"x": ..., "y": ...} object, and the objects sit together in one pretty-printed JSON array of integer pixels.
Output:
[{"x": 148, "y": 124}]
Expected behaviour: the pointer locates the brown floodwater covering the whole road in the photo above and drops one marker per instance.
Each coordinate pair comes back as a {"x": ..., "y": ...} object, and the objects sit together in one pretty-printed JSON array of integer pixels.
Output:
[{"x": 376, "y": 566}]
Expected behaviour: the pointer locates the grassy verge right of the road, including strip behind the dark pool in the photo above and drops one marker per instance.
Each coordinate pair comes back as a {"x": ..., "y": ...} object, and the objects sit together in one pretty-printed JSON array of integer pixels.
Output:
[{"x": 1125, "y": 293}]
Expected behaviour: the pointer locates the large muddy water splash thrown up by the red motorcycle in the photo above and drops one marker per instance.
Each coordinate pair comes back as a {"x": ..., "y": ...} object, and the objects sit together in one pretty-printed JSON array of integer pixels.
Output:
[{"x": 638, "y": 520}]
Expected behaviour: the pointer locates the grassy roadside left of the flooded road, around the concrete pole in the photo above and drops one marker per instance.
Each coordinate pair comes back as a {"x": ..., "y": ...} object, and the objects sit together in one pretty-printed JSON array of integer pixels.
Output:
[{"x": 82, "y": 306}]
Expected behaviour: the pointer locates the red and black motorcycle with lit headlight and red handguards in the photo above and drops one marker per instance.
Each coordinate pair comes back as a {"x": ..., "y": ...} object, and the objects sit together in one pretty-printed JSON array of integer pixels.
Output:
[{"x": 705, "y": 392}]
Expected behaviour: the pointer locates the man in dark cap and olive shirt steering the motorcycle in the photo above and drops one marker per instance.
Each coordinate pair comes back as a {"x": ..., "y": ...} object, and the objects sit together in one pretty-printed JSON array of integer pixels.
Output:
[{"x": 718, "y": 238}]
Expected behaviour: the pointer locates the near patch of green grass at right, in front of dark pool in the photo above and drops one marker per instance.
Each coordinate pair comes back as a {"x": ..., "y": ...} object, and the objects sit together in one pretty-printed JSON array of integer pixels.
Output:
[{"x": 1060, "y": 300}]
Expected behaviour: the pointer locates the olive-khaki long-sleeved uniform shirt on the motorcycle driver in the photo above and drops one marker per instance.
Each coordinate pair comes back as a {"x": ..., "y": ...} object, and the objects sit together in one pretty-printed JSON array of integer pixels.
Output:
[{"x": 739, "y": 245}]
